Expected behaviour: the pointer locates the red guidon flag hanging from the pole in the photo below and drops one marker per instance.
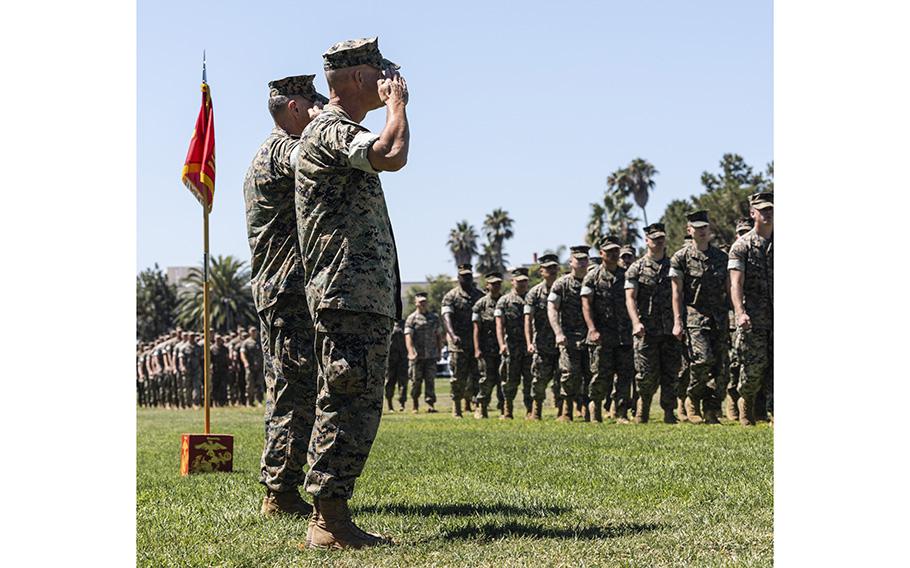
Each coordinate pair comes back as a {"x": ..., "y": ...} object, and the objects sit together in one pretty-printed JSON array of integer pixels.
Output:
[{"x": 199, "y": 169}]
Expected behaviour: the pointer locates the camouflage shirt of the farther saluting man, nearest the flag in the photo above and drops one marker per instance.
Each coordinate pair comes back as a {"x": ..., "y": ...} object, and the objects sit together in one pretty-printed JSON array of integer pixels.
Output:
[{"x": 268, "y": 191}]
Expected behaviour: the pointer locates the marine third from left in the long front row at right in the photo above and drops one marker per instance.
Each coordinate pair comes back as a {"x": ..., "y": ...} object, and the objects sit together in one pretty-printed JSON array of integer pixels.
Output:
[{"x": 510, "y": 335}]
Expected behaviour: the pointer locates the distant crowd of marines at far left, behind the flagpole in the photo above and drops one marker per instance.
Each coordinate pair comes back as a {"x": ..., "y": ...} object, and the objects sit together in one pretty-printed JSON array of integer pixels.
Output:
[{"x": 169, "y": 370}]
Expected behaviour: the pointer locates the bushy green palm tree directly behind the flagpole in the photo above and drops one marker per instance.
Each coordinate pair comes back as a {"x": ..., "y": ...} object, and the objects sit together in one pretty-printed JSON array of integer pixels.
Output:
[{"x": 230, "y": 298}]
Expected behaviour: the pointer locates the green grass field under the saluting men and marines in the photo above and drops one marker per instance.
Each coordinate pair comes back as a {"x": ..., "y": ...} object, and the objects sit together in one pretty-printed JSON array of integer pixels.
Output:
[{"x": 478, "y": 493}]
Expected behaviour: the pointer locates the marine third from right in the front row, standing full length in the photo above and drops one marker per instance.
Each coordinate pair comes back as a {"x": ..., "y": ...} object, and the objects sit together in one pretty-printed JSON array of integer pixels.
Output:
[{"x": 649, "y": 303}]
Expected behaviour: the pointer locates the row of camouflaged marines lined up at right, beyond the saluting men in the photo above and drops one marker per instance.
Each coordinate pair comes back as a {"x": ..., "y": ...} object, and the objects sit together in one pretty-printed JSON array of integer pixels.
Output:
[{"x": 694, "y": 327}]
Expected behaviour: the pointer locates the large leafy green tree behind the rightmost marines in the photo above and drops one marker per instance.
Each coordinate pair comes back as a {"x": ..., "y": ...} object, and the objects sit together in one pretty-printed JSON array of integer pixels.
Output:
[{"x": 726, "y": 199}]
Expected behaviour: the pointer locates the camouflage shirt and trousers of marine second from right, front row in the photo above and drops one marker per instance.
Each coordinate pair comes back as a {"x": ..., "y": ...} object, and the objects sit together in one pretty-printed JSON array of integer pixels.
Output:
[{"x": 703, "y": 278}]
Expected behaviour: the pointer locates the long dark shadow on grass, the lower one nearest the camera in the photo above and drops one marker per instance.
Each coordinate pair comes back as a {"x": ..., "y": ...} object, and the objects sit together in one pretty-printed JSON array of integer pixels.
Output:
[{"x": 494, "y": 531}]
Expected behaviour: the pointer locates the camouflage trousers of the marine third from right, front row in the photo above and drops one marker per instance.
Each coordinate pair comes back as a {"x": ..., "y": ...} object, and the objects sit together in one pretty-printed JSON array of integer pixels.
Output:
[{"x": 657, "y": 360}]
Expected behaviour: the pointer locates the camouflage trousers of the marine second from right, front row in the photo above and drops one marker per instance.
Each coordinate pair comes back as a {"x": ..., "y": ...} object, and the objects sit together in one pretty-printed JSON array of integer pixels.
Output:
[{"x": 707, "y": 365}]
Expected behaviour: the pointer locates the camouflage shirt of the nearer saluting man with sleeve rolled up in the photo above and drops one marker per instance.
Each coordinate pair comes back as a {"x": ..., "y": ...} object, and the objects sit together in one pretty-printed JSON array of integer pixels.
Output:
[{"x": 348, "y": 248}]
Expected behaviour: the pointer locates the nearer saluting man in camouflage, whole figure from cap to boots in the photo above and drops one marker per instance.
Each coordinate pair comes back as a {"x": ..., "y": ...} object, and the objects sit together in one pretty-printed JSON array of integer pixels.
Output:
[{"x": 350, "y": 267}]
